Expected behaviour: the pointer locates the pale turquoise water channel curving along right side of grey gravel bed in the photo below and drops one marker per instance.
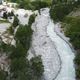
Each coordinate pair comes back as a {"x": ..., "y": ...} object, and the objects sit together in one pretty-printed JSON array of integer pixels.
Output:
[{"x": 66, "y": 54}]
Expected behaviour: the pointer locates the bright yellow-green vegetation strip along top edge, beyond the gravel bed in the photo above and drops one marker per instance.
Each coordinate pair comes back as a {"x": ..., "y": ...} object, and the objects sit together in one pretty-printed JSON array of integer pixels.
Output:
[{"x": 33, "y": 5}]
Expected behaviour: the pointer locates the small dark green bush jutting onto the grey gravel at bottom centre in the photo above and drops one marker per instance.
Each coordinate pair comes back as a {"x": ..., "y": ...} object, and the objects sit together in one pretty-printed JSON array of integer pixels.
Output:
[{"x": 36, "y": 64}]
